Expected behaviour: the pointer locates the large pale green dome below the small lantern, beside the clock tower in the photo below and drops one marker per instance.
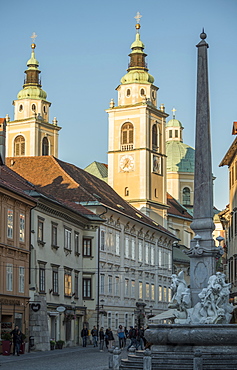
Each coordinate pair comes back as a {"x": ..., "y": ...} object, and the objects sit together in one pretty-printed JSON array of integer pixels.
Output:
[{"x": 180, "y": 157}]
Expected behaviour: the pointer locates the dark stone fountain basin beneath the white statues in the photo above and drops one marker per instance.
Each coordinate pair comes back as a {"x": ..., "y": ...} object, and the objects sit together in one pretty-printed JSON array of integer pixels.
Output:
[{"x": 194, "y": 335}]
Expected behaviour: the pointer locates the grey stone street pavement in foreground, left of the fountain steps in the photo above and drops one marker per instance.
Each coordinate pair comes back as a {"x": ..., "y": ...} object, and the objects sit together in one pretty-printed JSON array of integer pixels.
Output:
[{"x": 73, "y": 358}]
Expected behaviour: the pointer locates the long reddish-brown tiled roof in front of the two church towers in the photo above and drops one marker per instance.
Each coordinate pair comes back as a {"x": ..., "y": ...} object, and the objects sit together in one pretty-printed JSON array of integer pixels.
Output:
[{"x": 72, "y": 184}]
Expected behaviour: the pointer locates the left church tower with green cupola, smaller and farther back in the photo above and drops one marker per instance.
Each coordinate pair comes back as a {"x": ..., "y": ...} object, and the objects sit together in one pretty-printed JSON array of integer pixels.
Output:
[{"x": 30, "y": 133}]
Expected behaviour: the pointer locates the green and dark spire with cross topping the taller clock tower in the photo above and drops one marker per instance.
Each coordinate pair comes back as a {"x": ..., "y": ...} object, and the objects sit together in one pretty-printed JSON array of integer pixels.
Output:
[{"x": 137, "y": 68}]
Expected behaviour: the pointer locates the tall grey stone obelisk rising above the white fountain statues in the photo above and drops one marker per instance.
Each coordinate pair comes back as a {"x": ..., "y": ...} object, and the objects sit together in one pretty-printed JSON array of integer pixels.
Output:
[{"x": 203, "y": 252}]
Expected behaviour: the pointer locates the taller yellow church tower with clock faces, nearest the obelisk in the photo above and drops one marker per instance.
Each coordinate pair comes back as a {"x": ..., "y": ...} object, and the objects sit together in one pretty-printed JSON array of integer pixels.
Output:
[{"x": 136, "y": 155}]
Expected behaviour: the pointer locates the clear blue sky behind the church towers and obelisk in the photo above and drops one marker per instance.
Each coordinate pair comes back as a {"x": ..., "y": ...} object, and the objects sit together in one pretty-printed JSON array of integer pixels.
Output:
[{"x": 83, "y": 47}]
